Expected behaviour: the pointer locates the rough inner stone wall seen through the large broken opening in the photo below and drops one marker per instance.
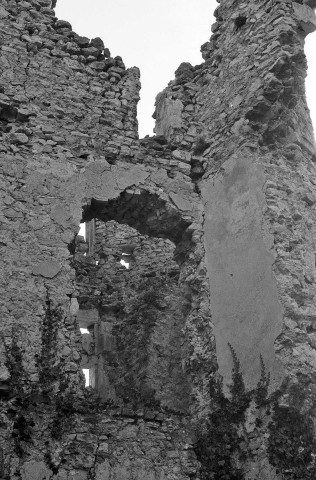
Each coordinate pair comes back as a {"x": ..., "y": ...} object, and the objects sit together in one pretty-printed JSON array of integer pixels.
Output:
[{"x": 137, "y": 313}]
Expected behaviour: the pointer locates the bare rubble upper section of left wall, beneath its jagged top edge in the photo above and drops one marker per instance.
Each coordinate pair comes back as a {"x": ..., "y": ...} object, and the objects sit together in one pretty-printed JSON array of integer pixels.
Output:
[{"x": 83, "y": 101}]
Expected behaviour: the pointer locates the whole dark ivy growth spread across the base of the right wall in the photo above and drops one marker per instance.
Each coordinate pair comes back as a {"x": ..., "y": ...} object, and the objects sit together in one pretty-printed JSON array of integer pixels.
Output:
[{"x": 286, "y": 436}]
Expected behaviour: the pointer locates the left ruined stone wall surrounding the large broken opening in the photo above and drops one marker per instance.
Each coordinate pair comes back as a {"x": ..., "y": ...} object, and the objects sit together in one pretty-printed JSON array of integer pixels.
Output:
[{"x": 69, "y": 138}]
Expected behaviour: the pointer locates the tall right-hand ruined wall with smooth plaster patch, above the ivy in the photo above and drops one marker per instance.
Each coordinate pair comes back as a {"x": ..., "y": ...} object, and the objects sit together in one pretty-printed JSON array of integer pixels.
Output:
[{"x": 243, "y": 123}]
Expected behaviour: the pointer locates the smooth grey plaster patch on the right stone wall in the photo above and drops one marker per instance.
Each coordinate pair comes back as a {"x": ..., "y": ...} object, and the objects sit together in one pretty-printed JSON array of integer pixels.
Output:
[{"x": 244, "y": 300}]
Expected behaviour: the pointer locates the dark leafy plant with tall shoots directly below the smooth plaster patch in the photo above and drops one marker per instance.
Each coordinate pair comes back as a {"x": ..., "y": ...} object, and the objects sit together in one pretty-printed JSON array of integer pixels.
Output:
[{"x": 222, "y": 445}]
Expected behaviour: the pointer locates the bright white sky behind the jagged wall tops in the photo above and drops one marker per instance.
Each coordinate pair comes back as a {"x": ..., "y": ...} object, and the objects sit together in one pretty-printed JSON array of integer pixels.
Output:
[{"x": 156, "y": 36}]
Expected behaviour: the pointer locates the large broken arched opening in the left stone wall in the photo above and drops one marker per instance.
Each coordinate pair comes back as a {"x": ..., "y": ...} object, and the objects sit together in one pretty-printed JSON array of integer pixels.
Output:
[{"x": 133, "y": 319}]
